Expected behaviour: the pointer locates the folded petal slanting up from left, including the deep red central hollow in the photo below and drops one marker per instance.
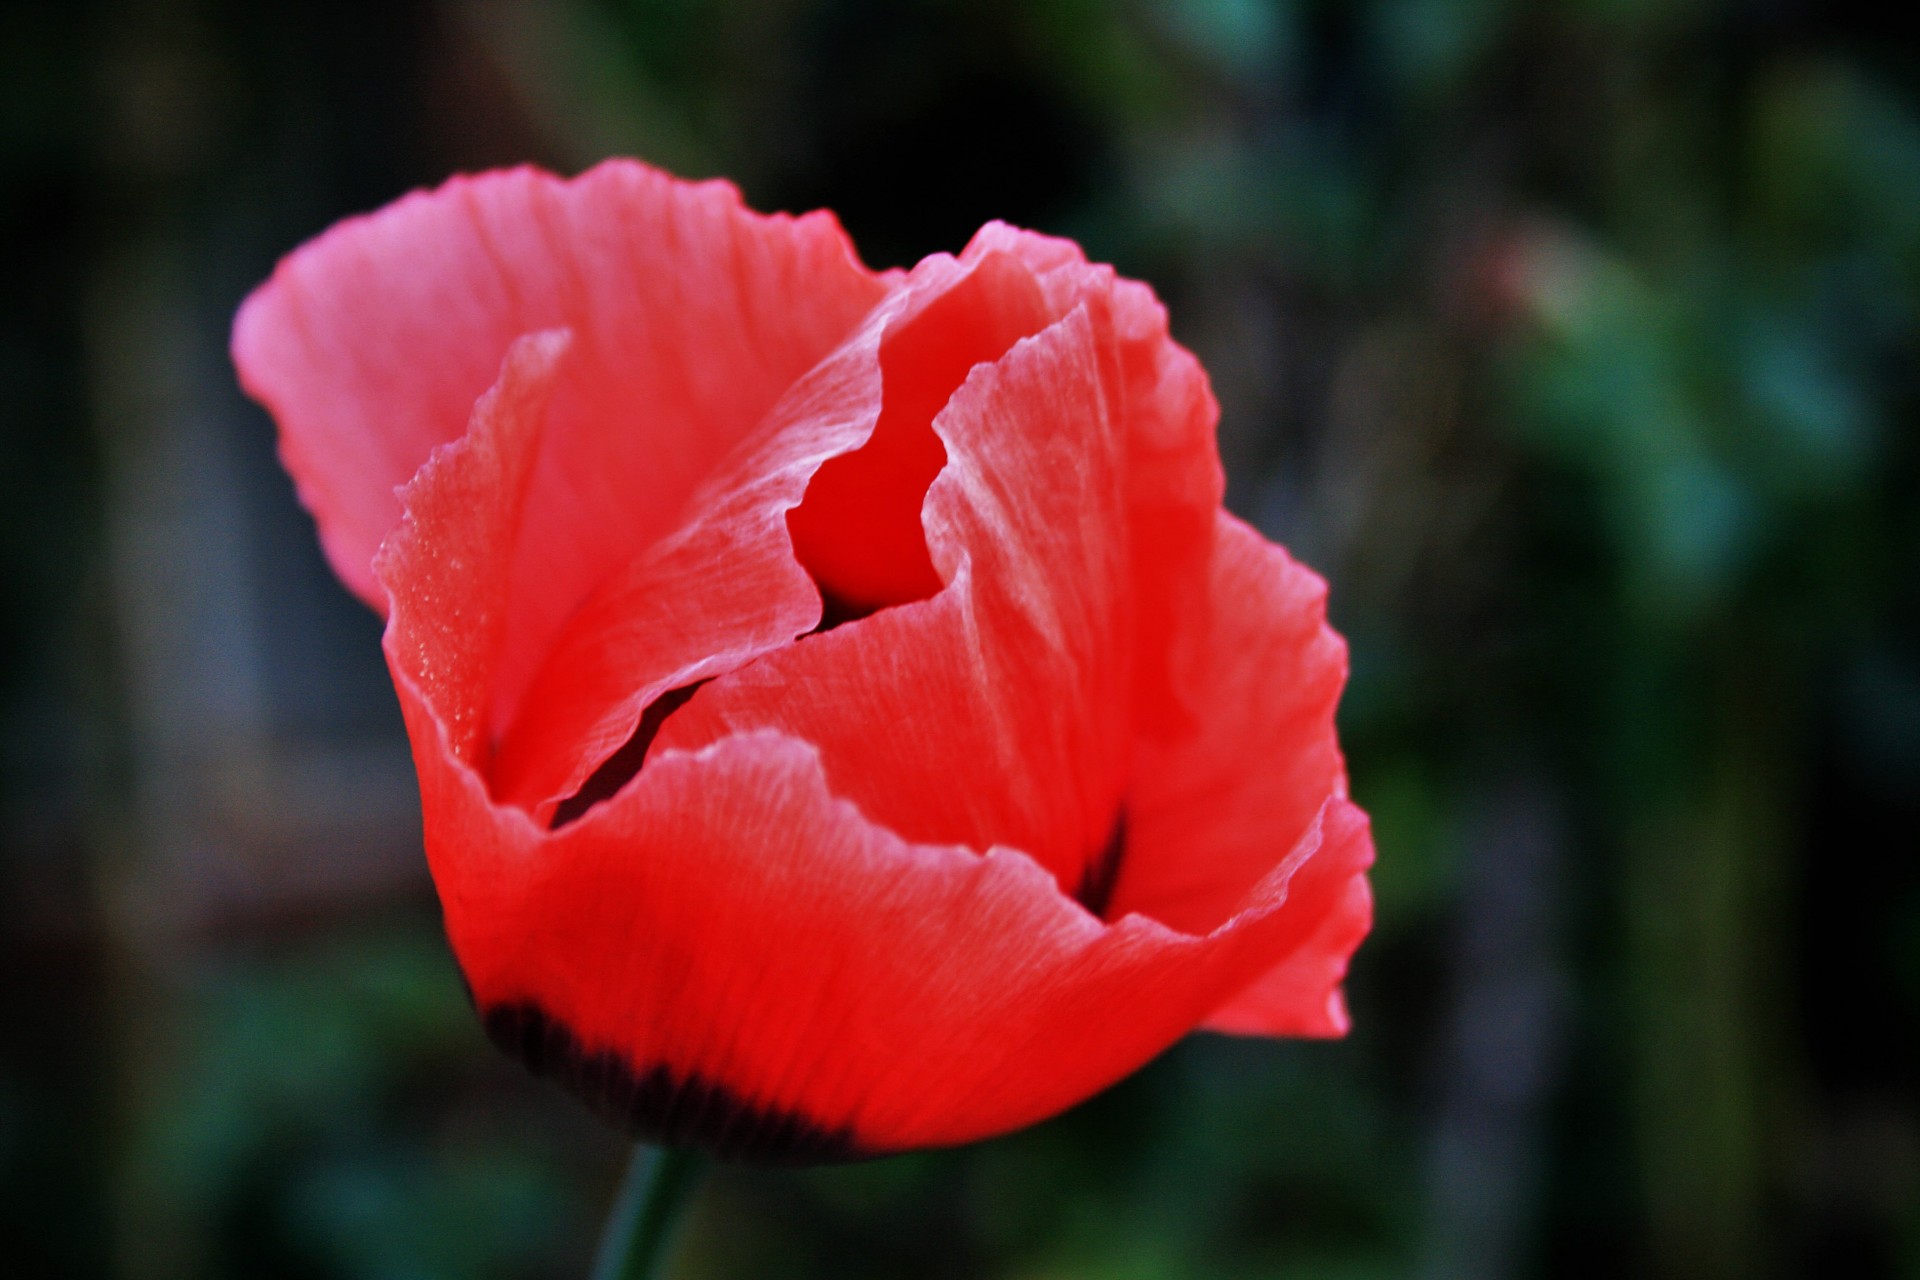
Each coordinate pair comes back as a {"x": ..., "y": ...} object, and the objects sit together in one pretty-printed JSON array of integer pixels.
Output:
[{"x": 729, "y": 586}]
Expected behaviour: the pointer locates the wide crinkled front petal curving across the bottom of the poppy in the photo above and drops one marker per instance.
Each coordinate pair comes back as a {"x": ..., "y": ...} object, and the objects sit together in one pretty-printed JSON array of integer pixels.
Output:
[{"x": 744, "y": 960}]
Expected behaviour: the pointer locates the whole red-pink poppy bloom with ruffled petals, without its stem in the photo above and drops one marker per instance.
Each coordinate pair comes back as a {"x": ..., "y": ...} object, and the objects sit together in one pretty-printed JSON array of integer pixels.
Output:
[{"x": 846, "y": 719}]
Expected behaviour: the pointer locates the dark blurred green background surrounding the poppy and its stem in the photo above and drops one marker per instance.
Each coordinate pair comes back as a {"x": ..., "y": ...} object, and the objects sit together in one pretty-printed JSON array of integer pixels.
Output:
[{"x": 1575, "y": 343}]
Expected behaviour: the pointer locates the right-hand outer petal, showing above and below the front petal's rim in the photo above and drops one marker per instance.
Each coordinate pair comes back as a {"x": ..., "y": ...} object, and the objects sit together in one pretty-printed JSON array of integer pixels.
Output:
[{"x": 1211, "y": 811}]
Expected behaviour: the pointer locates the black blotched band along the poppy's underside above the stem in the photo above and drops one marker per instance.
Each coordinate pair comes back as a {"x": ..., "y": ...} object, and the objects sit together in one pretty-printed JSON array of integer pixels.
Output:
[{"x": 663, "y": 1104}]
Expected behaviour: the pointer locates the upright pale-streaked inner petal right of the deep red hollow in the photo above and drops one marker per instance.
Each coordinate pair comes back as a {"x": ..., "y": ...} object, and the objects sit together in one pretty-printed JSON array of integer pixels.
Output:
[{"x": 996, "y": 713}]
